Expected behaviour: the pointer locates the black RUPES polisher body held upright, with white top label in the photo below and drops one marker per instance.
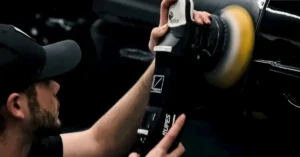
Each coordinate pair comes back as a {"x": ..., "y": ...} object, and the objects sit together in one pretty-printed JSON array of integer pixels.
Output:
[{"x": 166, "y": 100}]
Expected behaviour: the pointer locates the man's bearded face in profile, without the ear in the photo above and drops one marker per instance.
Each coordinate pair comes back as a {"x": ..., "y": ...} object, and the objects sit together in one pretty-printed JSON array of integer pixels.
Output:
[{"x": 44, "y": 107}]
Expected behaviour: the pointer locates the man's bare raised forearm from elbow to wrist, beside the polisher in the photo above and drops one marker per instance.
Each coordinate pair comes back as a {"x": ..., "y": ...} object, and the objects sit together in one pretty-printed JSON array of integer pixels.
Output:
[{"x": 118, "y": 127}]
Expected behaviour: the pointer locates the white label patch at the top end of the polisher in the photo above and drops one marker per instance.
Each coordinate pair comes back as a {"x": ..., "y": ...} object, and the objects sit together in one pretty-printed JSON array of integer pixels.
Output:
[{"x": 176, "y": 15}]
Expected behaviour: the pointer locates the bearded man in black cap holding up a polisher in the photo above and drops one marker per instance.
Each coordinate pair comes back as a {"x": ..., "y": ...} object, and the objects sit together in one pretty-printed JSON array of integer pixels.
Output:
[{"x": 29, "y": 107}]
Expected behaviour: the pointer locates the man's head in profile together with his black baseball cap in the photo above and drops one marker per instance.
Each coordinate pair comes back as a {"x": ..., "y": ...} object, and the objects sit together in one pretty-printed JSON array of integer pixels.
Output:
[{"x": 27, "y": 92}]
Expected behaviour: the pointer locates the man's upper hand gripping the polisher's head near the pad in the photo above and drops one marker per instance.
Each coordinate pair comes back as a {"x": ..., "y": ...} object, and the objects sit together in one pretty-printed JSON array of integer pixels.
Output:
[{"x": 200, "y": 17}]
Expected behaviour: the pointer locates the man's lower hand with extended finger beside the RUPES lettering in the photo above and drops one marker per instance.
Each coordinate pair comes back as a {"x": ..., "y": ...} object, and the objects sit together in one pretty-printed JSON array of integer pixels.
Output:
[{"x": 161, "y": 149}]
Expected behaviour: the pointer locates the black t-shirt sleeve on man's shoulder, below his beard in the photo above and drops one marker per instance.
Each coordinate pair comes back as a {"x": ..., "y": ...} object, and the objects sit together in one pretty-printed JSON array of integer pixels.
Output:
[{"x": 47, "y": 147}]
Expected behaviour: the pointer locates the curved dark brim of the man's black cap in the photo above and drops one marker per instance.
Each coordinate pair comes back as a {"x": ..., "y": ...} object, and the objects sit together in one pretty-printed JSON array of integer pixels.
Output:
[{"x": 61, "y": 57}]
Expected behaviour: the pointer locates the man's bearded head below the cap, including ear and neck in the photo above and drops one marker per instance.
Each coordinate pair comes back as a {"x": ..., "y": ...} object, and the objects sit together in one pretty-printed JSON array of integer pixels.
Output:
[{"x": 34, "y": 110}]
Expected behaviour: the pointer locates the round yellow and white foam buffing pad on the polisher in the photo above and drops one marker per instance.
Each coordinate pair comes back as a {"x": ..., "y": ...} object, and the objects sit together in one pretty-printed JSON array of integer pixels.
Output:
[{"x": 238, "y": 45}]
